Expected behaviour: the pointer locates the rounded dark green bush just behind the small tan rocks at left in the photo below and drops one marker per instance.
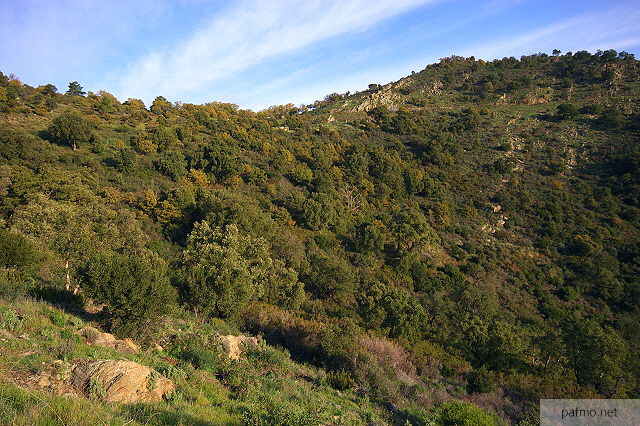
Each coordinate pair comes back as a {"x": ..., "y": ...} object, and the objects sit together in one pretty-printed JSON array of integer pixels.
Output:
[{"x": 135, "y": 289}]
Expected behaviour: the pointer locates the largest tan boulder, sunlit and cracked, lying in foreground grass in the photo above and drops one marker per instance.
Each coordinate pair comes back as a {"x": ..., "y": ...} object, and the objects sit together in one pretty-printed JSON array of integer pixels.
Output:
[{"x": 120, "y": 381}]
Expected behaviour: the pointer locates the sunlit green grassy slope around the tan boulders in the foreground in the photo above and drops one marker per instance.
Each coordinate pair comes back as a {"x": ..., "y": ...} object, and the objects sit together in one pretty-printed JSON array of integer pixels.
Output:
[{"x": 264, "y": 387}]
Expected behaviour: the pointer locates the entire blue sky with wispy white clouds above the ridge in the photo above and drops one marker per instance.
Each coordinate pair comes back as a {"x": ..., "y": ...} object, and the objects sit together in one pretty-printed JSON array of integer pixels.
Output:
[{"x": 257, "y": 53}]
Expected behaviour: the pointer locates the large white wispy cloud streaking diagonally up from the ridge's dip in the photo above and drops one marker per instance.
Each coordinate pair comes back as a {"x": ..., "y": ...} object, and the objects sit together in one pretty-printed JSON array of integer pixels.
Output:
[{"x": 247, "y": 34}]
